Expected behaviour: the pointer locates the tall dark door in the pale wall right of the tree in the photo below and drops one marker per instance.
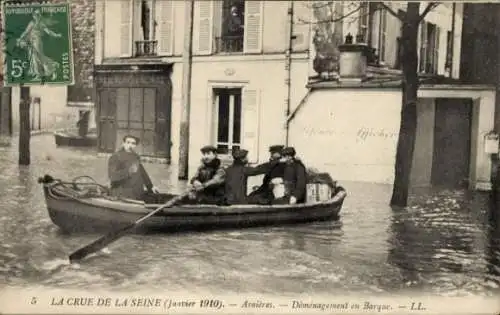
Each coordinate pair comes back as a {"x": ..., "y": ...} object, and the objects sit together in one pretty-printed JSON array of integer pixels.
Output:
[{"x": 451, "y": 156}]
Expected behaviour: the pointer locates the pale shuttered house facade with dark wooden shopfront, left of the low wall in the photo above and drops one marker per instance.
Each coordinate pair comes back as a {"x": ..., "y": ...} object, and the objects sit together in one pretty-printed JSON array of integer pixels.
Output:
[{"x": 239, "y": 71}]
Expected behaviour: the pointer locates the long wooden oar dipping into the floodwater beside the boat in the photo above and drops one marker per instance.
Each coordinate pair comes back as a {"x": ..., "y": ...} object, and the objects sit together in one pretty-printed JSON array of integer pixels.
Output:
[{"x": 114, "y": 235}]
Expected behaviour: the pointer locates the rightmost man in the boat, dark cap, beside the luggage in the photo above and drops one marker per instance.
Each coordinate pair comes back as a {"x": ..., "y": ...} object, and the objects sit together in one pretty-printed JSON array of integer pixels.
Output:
[{"x": 294, "y": 179}]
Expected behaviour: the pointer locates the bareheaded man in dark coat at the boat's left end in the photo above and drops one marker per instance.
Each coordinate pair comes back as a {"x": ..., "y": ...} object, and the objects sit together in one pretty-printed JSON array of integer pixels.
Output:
[{"x": 126, "y": 172}]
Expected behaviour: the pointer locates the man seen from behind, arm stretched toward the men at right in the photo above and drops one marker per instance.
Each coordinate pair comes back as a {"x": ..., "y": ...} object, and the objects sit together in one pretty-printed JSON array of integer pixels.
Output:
[{"x": 237, "y": 175}]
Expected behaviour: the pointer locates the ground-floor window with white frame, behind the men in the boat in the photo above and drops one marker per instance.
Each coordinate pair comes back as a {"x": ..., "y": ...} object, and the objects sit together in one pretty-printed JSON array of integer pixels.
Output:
[{"x": 227, "y": 124}]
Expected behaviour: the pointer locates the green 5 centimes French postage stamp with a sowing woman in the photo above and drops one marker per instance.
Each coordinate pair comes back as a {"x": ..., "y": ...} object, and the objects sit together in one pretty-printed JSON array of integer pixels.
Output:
[{"x": 37, "y": 44}]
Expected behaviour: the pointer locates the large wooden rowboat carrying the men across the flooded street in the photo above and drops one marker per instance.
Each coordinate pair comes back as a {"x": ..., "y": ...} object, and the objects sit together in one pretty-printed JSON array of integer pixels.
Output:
[{"x": 72, "y": 213}]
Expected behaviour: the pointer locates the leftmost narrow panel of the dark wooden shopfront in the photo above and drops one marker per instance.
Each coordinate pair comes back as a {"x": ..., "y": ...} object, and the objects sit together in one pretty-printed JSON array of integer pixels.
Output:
[{"x": 106, "y": 100}]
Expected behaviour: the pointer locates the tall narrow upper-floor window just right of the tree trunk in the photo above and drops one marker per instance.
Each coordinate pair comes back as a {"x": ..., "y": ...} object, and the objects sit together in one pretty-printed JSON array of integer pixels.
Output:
[{"x": 429, "y": 48}]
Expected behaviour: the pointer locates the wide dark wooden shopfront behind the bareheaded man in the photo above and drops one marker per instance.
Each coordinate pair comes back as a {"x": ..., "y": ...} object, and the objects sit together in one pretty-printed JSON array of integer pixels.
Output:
[{"x": 138, "y": 104}]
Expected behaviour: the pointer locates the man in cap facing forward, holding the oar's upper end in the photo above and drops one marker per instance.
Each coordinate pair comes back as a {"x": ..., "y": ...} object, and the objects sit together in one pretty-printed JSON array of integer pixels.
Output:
[{"x": 208, "y": 182}]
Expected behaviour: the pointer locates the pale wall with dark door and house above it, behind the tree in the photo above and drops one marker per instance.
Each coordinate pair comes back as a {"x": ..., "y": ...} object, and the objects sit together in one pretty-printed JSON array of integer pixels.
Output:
[{"x": 362, "y": 116}]
